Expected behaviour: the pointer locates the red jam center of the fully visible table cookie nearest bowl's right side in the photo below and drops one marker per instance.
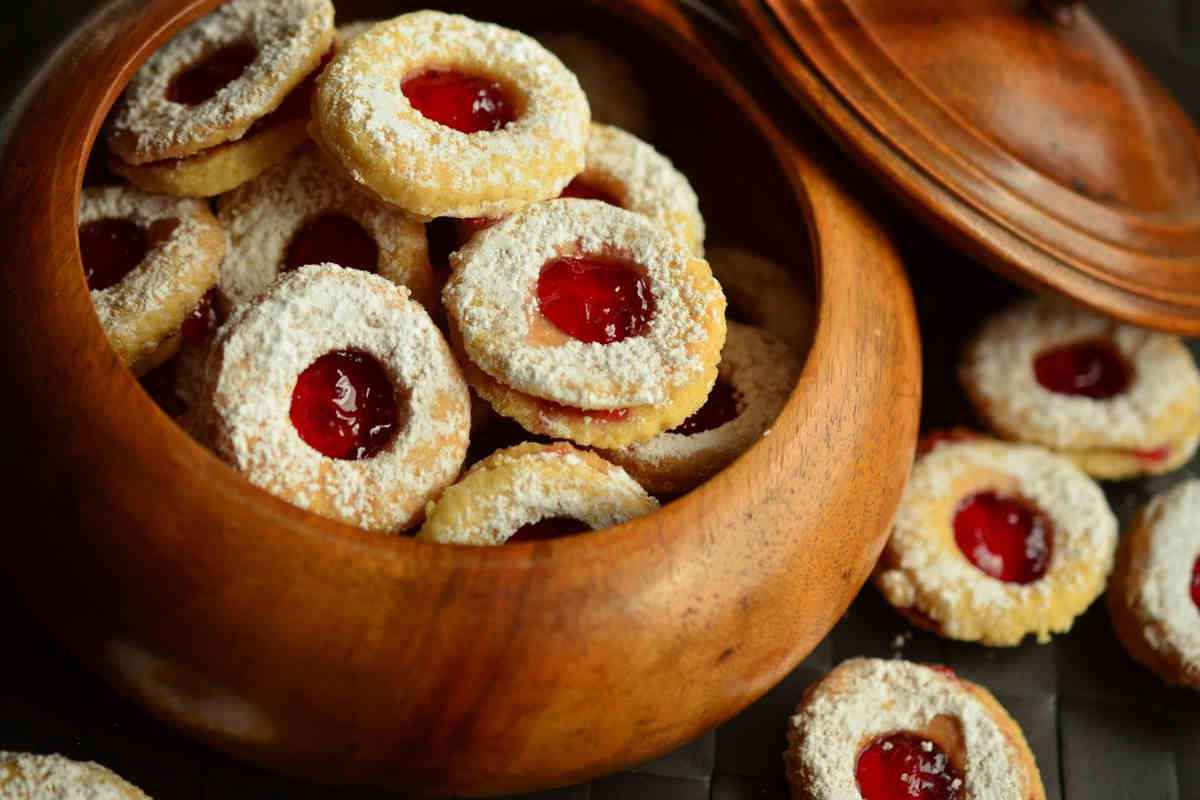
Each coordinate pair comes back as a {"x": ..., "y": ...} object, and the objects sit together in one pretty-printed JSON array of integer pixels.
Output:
[{"x": 1004, "y": 537}]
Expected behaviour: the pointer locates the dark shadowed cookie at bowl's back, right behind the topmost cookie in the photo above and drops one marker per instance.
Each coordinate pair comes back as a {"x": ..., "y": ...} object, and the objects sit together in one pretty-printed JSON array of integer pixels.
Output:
[{"x": 610, "y": 82}]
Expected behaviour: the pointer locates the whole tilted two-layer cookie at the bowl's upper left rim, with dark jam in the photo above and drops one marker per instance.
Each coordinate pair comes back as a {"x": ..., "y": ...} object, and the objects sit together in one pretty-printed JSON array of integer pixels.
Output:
[{"x": 225, "y": 100}]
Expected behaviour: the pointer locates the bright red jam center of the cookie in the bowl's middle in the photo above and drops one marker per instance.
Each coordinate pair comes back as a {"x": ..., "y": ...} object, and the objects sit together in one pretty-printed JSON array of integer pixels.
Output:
[{"x": 596, "y": 299}]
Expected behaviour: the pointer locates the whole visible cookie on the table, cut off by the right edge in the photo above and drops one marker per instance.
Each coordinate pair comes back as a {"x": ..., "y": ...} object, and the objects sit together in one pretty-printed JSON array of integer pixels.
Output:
[{"x": 1155, "y": 593}]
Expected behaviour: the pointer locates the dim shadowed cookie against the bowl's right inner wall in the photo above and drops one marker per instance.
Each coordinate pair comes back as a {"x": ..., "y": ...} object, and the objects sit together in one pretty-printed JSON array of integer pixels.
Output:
[{"x": 764, "y": 294}]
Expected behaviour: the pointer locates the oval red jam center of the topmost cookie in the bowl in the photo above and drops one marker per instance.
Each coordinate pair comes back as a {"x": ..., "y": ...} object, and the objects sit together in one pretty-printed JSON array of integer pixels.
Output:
[{"x": 466, "y": 104}]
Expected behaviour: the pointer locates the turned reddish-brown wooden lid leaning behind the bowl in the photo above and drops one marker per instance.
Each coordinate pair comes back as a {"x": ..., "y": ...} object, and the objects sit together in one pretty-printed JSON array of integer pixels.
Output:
[{"x": 1028, "y": 135}]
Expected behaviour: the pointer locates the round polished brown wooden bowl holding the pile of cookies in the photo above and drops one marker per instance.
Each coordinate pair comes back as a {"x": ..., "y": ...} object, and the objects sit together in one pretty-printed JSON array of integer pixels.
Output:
[{"x": 325, "y": 652}]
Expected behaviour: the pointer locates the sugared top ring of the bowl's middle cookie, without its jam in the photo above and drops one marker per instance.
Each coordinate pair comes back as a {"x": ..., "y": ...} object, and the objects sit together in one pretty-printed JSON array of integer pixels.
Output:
[{"x": 494, "y": 302}]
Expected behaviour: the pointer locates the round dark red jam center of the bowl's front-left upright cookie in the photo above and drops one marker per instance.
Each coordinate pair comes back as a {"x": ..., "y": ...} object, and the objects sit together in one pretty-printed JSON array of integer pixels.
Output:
[{"x": 344, "y": 406}]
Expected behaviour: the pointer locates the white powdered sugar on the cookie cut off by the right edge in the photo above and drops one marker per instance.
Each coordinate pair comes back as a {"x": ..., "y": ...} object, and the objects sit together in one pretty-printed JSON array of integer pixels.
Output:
[{"x": 1161, "y": 580}]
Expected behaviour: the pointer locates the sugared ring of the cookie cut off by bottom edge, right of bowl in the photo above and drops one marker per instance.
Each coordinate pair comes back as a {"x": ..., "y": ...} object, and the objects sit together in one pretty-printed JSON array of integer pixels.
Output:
[{"x": 866, "y": 699}]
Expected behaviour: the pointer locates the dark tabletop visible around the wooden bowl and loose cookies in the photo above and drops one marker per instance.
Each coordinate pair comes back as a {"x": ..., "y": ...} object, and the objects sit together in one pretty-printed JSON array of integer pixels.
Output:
[{"x": 1101, "y": 727}]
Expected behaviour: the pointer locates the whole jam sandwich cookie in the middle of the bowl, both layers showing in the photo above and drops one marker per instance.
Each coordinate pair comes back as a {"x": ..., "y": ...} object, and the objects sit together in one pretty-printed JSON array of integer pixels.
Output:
[{"x": 585, "y": 322}]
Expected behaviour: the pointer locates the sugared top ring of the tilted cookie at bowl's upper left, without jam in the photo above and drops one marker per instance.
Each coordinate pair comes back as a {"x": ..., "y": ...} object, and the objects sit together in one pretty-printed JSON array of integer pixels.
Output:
[{"x": 291, "y": 35}]
